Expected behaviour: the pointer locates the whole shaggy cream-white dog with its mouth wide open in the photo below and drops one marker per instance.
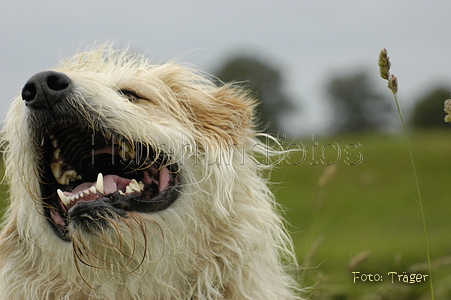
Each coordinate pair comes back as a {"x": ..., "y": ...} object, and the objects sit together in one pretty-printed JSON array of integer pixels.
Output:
[{"x": 136, "y": 181}]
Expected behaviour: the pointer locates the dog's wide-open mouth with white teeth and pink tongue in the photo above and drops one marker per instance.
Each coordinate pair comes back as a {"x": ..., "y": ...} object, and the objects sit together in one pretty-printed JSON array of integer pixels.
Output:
[{"x": 86, "y": 173}]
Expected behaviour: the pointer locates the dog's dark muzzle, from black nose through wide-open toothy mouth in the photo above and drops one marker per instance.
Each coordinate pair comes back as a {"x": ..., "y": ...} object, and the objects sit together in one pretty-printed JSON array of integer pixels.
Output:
[{"x": 89, "y": 174}]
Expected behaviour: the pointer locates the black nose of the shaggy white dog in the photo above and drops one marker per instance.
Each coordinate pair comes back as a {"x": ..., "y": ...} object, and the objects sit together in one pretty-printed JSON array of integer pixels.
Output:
[{"x": 45, "y": 89}]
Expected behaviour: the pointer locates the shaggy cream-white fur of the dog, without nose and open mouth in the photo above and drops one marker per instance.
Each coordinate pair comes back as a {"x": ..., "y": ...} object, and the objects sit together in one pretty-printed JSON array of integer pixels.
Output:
[{"x": 221, "y": 239}]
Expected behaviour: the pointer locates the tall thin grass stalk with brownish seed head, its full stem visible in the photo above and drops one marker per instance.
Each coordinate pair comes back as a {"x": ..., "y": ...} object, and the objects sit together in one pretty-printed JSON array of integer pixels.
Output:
[{"x": 384, "y": 66}]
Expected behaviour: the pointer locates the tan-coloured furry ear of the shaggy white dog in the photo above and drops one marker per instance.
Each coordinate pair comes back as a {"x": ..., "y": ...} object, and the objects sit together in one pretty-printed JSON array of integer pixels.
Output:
[{"x": 226, "y": 115}]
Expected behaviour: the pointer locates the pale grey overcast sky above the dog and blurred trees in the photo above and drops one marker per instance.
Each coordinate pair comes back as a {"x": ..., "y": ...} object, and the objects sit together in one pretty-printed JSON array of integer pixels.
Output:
[{"x": 310, "y": 41}]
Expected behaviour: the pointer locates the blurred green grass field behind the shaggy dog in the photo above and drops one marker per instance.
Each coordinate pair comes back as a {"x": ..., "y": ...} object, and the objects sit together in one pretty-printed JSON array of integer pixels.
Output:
[{"x": 363, "y": 207}]
